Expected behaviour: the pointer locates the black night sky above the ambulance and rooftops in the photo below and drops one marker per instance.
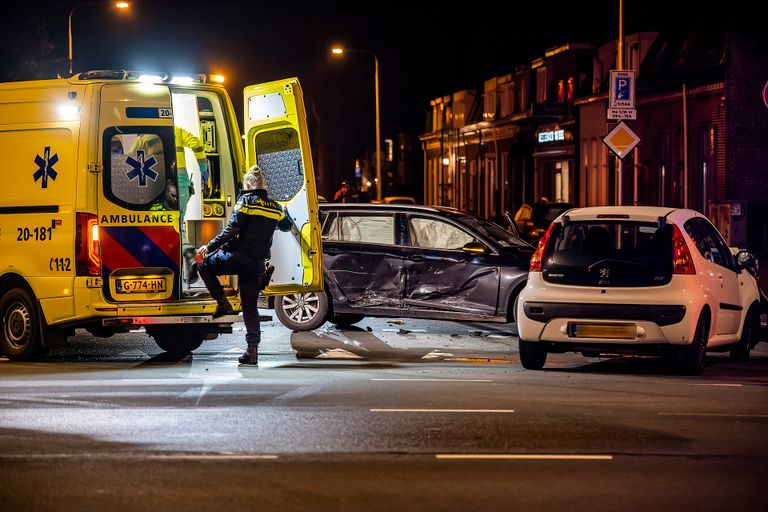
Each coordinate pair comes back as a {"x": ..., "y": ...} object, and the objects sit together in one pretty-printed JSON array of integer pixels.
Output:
[{"x": 425, "y": 49}]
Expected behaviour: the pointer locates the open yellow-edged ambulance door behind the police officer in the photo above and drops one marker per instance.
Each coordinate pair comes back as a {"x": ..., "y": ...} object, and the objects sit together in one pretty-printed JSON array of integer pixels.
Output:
[{"x": 276, "y": 139}]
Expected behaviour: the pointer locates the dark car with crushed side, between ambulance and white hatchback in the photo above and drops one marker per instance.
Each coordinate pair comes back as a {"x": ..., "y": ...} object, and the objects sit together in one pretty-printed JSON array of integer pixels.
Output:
[{"x": 396, "y": 260}]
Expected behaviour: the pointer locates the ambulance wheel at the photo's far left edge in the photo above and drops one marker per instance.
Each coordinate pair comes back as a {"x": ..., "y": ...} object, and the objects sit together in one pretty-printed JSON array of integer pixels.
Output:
[{"x": 21, "y": 339}]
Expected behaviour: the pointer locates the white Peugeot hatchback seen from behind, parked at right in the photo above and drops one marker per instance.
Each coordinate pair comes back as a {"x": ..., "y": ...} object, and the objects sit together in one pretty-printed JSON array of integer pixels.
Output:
[{"x": 635, "y": 279}]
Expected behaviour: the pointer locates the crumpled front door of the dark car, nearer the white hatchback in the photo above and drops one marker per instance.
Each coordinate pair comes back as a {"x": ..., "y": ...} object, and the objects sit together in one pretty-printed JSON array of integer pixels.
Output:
[{"x": 449, "y": 269}]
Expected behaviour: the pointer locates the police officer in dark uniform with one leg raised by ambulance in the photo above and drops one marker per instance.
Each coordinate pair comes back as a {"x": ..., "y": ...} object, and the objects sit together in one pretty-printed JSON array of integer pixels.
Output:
[{"x": 241, "y": 248}]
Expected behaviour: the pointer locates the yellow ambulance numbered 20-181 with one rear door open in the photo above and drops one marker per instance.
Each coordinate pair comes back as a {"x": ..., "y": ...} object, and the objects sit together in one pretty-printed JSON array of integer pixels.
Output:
[{"x": 91, "y": 231}]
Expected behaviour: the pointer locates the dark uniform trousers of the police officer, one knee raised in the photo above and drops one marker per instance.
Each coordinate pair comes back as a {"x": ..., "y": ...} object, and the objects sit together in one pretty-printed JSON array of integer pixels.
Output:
[{"x": 250, "y": 272}]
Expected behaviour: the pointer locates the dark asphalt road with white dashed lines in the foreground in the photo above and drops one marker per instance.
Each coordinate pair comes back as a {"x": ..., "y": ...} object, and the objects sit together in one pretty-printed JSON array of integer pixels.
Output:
[{"x": 398, "y": 414}]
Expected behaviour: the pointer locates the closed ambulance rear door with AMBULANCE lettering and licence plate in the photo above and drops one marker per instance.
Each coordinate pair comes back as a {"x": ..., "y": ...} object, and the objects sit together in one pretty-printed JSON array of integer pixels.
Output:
[{"x": 138, "y": 209}]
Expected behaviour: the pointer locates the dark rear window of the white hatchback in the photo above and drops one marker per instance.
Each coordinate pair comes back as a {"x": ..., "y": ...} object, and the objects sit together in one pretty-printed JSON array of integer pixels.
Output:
[{"x": 608, "y": 253}]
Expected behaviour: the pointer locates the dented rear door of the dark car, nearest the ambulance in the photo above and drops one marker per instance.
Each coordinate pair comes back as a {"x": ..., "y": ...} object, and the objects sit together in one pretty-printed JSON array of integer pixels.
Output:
[{"x": 364, "y": 260}]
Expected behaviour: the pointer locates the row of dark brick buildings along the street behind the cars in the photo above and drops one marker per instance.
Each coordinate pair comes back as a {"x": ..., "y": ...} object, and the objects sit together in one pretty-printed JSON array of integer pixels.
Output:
[{"x": 537, "y": 132}]
